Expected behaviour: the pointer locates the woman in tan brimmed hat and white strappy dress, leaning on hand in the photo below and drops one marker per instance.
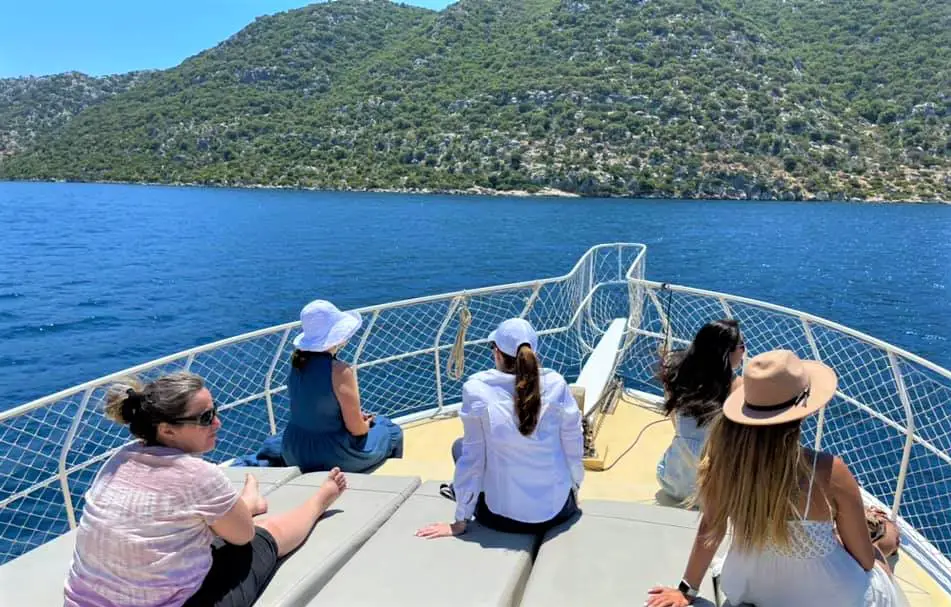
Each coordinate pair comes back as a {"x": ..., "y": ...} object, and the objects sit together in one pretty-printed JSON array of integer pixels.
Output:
[{"x": 799, "y": 533}]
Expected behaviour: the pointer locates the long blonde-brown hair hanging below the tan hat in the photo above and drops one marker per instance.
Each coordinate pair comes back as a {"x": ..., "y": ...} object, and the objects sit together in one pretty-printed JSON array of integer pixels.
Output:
[{"x": 751, "y": 476}]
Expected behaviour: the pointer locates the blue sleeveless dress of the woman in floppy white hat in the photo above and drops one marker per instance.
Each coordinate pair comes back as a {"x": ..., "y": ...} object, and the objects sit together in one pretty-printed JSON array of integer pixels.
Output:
[{"x": 316, "y": 437}]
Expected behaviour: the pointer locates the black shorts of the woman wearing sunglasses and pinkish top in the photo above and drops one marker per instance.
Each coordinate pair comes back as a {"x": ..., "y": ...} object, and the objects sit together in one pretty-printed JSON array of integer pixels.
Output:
[{"x": 239, "y": 574}]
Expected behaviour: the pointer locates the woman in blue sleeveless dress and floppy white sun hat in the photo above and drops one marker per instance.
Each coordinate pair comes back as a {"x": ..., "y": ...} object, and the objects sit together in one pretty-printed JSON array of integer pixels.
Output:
[{"x": 327, "y": 427}]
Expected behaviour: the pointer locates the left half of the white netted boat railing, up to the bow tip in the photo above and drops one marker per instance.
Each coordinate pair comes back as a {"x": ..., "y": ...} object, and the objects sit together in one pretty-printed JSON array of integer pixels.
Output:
[{"x": 407, "y": 354}]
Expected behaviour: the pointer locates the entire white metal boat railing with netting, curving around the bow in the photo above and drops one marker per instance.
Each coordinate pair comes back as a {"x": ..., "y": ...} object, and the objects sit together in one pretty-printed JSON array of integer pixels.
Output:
[{"x": 889, "y": 421}]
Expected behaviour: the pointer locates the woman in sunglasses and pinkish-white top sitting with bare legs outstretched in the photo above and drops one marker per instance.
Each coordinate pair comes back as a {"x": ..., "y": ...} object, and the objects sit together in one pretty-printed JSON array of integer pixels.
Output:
[{"x": 162, "y": 527}]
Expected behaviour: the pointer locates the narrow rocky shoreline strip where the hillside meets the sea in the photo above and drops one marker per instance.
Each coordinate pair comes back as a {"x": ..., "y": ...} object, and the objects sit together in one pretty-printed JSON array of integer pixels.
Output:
[{"x": 545, "y": 192}]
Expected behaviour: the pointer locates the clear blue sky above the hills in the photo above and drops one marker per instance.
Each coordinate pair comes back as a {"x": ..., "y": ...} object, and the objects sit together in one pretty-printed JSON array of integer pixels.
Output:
[{"x": 101, "y": 37}]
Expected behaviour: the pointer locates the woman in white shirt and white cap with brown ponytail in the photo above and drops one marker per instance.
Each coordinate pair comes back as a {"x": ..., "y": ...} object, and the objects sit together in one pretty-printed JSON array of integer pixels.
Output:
[{"x": 519, "y": 466}]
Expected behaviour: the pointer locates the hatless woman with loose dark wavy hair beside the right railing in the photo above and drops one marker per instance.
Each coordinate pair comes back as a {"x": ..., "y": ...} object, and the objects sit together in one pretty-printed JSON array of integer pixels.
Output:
[{"x": 696, "y": 383}]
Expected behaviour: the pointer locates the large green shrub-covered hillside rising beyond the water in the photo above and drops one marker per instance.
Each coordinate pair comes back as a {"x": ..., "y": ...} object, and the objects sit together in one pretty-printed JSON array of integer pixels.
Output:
[{"x": 687, "y": 98}]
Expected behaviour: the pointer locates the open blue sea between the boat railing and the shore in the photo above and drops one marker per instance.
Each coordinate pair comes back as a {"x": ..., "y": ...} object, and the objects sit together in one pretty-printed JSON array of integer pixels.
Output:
[{"x": 95, "y": 278}]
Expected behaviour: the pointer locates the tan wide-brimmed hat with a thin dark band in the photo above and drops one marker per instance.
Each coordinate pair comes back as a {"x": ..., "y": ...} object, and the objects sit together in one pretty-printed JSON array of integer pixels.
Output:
[{"x": 778, "y": 387}]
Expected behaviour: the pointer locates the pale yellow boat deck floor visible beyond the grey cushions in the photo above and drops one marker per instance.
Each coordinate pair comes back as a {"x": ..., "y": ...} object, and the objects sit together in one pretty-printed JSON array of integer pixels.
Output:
[{"x": 630, "y": 479}]
